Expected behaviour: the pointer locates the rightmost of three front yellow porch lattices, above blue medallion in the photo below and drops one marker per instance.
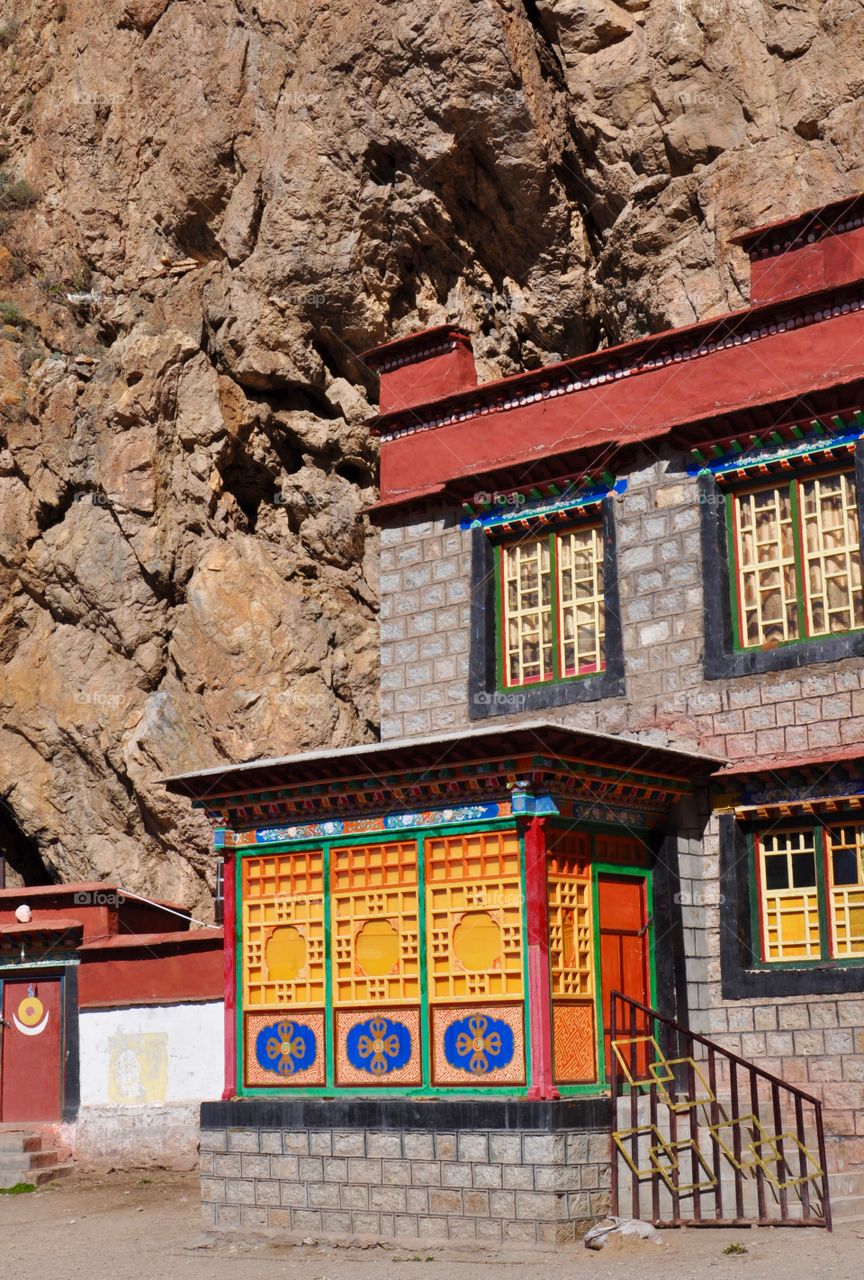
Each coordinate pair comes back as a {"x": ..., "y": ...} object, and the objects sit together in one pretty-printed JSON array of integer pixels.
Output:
[{"x": 474, "y": 917}]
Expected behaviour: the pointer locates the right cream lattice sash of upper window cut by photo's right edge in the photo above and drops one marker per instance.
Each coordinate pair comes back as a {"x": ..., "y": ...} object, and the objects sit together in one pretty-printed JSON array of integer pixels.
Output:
[{"x": 835, "y": 601}]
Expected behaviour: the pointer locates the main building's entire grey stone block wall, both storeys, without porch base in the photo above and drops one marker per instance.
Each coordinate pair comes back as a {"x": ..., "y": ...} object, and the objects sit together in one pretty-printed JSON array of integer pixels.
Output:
[{"x": 427, "y": 591}]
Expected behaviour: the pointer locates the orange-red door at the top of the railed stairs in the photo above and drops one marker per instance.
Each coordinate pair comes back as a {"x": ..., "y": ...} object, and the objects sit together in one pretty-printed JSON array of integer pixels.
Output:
[{"x": 624, "y": 952}]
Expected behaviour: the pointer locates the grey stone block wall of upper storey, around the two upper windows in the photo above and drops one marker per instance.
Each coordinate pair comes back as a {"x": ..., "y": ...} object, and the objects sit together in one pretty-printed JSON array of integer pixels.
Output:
[{"x": 427, "y": 593}]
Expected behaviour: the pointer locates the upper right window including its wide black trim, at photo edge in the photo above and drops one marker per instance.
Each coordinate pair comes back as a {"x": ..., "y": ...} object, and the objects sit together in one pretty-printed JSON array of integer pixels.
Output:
[{"x": 783, "y": 560}]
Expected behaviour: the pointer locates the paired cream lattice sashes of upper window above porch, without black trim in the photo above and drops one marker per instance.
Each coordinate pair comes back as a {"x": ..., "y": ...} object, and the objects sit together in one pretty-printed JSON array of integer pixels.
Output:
[{"x": 552, "y": 606}]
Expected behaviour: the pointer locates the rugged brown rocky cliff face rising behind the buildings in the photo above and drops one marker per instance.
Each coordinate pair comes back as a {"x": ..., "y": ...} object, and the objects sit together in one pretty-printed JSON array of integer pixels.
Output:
[{"x": 207, "y": 208}]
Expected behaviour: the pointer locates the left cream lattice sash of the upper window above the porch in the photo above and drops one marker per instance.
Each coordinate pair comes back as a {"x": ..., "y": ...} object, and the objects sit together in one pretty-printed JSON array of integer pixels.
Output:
[{"x": 528, "y": 611}]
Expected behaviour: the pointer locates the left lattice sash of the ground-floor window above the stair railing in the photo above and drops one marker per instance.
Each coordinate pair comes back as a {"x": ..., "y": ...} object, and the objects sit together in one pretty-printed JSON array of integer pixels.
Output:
[{"x": 790, "y": 898}]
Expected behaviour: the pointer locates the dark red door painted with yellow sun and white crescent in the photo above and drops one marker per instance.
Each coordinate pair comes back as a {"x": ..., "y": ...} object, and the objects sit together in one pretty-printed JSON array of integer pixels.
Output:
[{"x": 31, "y": 1062}]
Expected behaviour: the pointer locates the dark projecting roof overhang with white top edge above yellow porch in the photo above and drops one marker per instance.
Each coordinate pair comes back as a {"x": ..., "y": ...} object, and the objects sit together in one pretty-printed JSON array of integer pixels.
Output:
[{"x": 386, "y": 778}]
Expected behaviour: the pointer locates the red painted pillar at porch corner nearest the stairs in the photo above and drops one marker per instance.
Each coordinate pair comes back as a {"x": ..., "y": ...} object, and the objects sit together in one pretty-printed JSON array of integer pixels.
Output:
[{"x": 538, "y": 958}]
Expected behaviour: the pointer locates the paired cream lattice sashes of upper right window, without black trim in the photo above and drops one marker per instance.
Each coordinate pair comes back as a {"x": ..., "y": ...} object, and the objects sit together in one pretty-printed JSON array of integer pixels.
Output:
[{"x": 797, "y": 560}]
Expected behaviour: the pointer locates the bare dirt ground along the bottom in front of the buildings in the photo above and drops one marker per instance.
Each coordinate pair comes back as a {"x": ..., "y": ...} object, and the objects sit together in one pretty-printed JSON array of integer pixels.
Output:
[{"x": 130, "y": 1227}]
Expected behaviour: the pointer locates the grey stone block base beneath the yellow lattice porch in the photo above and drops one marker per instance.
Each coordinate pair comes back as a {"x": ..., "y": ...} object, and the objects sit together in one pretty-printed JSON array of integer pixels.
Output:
[{"x": 405, "y": 1185}]
